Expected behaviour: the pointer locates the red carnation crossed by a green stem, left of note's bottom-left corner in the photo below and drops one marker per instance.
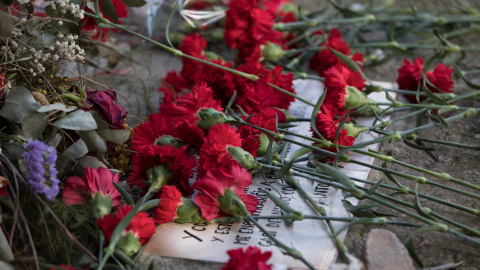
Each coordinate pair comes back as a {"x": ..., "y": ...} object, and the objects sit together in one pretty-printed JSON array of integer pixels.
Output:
[{"x": 141, "y": 226}]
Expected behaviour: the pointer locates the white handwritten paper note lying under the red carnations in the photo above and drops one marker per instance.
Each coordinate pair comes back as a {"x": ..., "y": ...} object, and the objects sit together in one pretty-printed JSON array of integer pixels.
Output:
[{"x": 310, "y": 237}]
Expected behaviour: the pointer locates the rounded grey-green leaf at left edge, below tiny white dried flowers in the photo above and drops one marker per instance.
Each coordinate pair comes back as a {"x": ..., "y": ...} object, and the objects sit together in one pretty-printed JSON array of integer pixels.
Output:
[{"x": 19, "y": 104}]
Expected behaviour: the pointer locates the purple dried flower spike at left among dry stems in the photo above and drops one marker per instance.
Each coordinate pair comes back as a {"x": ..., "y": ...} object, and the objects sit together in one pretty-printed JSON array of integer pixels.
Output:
[{"x": 40, "y": 162}]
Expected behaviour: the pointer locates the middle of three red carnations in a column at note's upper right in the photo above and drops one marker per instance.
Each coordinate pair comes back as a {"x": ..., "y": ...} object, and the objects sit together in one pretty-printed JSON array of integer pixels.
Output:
[{"x": 337, "y": 79}]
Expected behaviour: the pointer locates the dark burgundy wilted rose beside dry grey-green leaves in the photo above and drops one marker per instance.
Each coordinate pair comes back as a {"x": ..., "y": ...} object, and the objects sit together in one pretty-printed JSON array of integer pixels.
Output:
[{"x": 104, "y": 103}]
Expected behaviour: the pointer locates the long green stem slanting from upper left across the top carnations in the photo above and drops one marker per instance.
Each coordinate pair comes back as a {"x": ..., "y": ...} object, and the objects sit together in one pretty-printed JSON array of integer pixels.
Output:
[{"x": 181, "y": 54}]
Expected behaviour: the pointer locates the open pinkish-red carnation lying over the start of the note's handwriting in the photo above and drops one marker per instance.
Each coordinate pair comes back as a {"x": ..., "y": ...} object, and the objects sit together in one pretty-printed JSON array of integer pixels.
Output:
[{"x": 216, "y": 182}]
